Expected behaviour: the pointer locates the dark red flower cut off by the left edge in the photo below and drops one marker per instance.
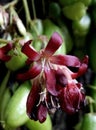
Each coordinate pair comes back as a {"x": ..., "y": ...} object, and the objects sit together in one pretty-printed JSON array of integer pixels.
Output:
[{"x": 3, "y": 52}]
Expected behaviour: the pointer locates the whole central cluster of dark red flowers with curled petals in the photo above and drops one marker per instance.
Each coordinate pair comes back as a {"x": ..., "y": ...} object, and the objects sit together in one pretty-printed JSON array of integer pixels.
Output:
[{"x": 54, "y": 84}]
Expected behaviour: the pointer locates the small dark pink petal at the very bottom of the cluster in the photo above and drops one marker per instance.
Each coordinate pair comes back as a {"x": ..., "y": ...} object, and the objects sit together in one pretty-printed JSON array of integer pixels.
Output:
[{"x": 42, "y": 113}]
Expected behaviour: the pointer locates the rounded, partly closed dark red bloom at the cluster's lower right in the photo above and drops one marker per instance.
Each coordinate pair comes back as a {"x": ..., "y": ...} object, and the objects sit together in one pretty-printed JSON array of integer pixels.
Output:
[{"x": 71, "y": 97}]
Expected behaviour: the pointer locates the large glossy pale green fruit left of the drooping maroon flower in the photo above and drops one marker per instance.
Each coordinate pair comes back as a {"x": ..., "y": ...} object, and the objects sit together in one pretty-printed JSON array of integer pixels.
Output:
[{"x": 15, "y": 114}]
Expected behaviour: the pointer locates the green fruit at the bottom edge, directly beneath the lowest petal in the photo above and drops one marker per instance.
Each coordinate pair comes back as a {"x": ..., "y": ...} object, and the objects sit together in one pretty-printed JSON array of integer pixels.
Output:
[{"x": 36, "y": 125}]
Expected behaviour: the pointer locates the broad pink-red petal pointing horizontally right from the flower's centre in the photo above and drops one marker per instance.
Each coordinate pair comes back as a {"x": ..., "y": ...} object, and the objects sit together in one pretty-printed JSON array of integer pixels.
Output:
[{"x": 66, "y": 60}]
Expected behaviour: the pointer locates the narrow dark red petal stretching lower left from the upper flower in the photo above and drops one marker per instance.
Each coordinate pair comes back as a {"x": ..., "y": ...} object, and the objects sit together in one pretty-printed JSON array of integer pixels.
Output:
[{"x": 31, "y": 73}]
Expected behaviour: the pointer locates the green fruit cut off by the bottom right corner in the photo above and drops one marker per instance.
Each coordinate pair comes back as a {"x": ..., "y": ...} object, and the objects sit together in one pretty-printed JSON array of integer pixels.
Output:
[{"x": 89, "y": 122}]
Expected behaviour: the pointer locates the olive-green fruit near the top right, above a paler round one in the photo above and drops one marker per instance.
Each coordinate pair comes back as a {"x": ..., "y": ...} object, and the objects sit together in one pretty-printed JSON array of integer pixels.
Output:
[{"x": 75, "y": 11}]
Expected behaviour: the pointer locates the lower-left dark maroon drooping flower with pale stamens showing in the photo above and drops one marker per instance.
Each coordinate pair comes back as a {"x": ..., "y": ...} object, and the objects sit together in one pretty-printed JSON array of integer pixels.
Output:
[{"x": 40, "y": 101}]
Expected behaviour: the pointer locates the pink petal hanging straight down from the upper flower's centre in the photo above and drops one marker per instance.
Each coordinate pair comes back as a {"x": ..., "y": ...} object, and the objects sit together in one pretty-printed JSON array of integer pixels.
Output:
[{"x": 50, "y": 81}]
